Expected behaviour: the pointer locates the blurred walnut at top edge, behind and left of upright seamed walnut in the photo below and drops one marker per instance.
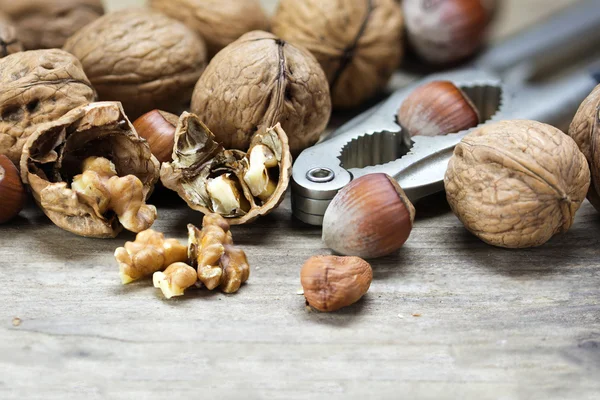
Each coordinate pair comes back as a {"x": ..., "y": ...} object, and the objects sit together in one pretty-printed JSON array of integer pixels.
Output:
[{"x": 219, "y": 22}]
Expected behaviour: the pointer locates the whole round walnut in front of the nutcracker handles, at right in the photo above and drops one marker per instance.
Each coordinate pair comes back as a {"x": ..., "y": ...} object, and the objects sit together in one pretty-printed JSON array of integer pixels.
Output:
[{"x": 517, "y": 183}]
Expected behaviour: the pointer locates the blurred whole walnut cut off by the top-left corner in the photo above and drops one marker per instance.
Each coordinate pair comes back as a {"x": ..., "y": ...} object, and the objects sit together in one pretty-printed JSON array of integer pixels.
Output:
[{"x": 46, "y": 24}]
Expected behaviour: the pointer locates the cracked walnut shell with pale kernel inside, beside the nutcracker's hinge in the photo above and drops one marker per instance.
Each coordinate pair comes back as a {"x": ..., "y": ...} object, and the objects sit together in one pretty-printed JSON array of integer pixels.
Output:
[{"x": 237, "y": 185}]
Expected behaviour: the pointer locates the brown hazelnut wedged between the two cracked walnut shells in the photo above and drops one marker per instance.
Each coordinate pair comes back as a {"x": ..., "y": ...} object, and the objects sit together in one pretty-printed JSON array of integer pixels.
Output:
[{"x": 158, "y": 128}]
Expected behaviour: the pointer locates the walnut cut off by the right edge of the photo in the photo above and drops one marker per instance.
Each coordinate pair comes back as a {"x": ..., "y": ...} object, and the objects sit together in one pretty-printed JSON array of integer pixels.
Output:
[{"x": 586, "y": 133}]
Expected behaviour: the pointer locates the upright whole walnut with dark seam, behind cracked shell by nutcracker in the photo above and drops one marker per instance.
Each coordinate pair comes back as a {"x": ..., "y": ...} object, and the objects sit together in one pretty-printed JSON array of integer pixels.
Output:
[{"x": 259, "y": 81}]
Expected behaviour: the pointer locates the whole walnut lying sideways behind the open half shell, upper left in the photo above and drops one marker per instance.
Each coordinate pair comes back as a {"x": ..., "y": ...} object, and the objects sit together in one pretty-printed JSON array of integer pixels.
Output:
[{"x": 141, "y": 58}]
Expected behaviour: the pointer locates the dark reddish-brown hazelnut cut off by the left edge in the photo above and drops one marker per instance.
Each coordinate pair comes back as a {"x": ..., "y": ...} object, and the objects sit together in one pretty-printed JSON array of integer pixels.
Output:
[{"x": 12, "y": 192}]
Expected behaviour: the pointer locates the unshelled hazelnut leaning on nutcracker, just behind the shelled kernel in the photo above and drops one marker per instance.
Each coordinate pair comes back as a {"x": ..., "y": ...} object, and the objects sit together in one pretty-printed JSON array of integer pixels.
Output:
[{"x": 369, "y": 218}]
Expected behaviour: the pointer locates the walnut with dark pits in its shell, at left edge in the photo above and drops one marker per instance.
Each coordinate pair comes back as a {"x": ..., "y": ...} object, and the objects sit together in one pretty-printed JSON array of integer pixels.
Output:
[{"x": 37, "y": 87}]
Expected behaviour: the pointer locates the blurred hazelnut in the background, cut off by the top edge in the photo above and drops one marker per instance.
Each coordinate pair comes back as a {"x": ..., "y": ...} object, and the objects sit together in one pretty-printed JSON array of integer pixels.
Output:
[{"x": 446, "y": 31}]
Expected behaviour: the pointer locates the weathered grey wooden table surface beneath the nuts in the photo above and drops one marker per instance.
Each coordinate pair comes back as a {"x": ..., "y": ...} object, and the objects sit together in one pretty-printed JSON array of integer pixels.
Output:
[{"x": 447, "y": 317}]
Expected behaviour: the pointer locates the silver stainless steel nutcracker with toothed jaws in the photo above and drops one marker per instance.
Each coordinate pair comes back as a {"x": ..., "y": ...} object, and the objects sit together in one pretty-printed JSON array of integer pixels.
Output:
[{"x": 504, "y": 83}]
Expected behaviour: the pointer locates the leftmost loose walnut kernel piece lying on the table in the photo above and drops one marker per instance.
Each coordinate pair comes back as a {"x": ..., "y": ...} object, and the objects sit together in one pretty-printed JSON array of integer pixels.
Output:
[{"x": 150, "y": 252}]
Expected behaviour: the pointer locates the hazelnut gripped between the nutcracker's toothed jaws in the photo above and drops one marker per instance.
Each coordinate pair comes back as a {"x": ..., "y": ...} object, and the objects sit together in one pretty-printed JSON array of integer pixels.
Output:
[{"x": 437, "y": 108}]
